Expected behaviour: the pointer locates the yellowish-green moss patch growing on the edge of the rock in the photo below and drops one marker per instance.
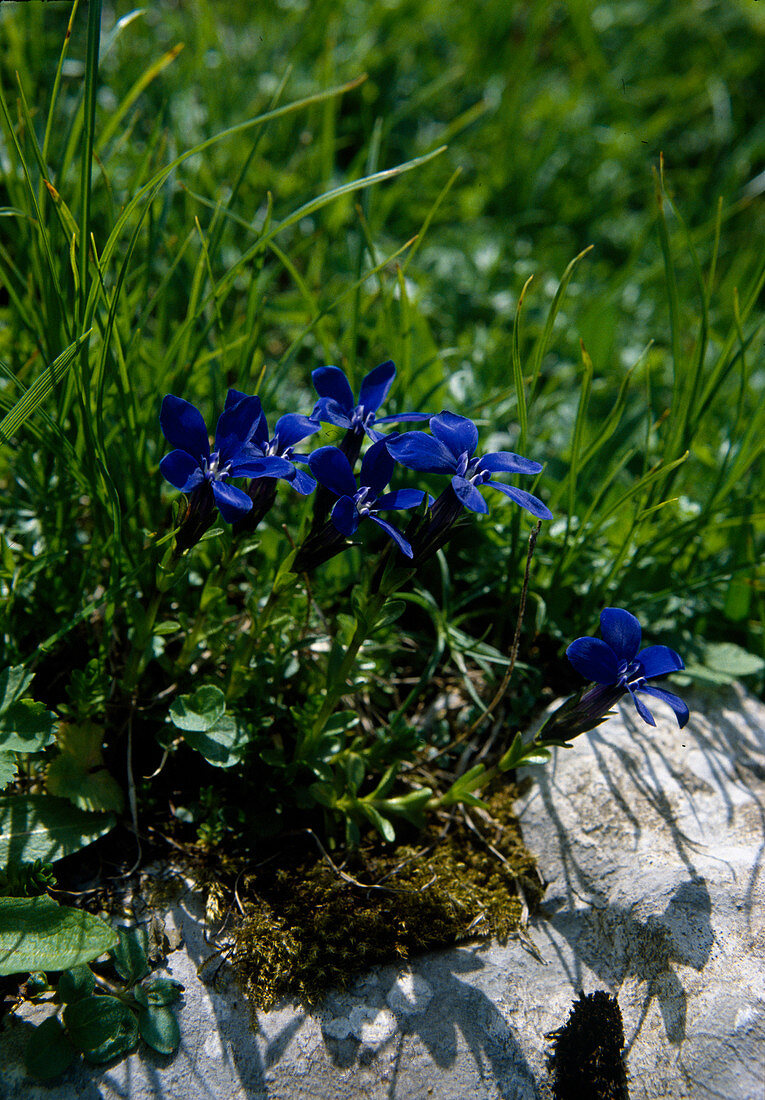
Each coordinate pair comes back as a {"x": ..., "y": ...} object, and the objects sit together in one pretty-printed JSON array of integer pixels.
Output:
[{"x": 308, "y": 930}]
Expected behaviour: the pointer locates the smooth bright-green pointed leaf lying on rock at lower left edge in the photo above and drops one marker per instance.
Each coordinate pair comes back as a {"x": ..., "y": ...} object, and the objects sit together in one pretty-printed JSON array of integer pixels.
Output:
[{"x": 38, "y": 934}]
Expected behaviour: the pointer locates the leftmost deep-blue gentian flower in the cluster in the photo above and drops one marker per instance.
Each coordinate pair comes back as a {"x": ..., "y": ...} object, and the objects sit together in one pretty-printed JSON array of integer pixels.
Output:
[{"x": 193, "y": 465}]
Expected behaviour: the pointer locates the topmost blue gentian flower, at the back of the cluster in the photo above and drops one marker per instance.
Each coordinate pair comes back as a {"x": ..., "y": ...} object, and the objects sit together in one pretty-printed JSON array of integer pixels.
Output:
[{"x": 337, "y": 405}]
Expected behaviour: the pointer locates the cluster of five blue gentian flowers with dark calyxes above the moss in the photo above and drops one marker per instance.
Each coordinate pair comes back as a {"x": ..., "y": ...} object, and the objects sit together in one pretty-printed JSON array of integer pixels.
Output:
[{"x": 244, "y": 449}]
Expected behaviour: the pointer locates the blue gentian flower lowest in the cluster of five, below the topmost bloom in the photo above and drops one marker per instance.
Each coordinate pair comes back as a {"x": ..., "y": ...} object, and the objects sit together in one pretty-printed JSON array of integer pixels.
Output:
[{"x": 364, "y": 501}]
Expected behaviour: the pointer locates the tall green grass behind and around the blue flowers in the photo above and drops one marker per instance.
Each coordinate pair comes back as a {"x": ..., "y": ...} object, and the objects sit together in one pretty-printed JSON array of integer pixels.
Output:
[{"x": 238, "y": 221}]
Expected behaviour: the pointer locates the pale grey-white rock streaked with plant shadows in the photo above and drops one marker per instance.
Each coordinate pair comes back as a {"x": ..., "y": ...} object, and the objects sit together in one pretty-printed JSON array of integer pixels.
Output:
[{"x": 652, "y": 843}]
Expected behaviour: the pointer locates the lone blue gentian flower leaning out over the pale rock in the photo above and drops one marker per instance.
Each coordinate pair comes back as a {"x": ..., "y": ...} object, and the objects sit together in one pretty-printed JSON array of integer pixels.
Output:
[{"x": 617, "y": 662}]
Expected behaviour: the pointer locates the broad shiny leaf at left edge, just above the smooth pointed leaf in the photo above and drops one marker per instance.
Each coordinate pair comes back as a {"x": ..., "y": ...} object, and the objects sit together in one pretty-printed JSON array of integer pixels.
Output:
[{"x": 41, "y": 827}]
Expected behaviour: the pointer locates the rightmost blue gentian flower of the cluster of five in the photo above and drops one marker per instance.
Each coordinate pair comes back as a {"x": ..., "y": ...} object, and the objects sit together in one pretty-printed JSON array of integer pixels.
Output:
[{"x": 452, "y": 449}]
